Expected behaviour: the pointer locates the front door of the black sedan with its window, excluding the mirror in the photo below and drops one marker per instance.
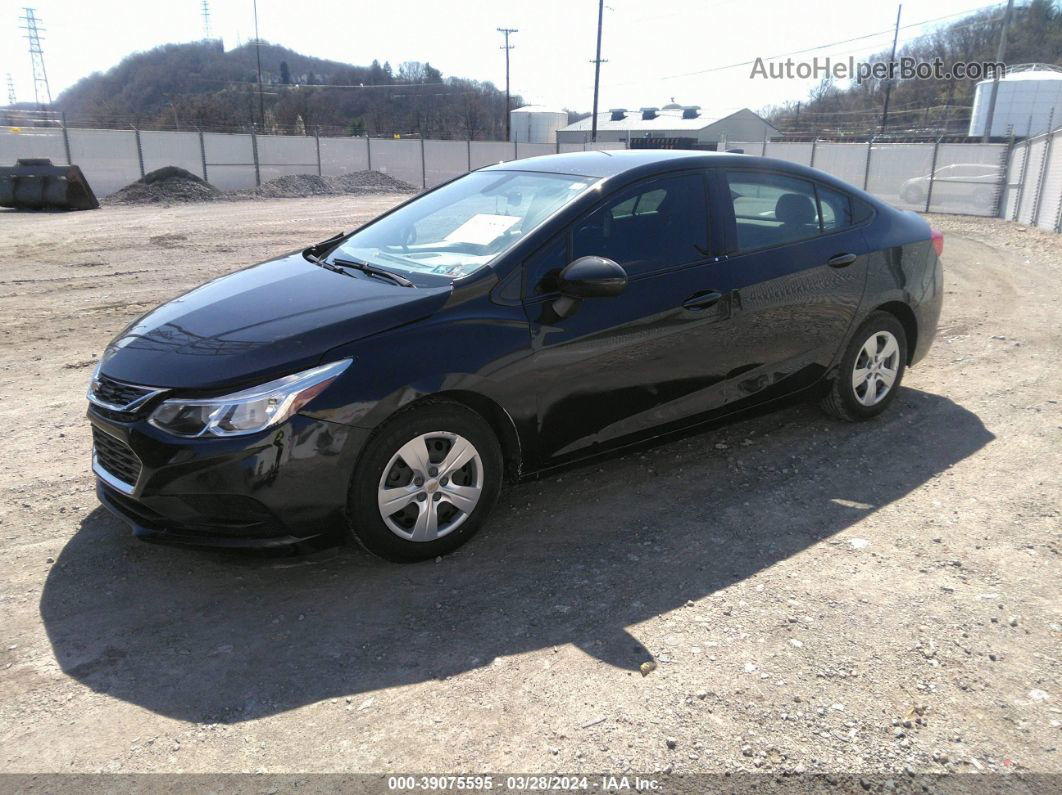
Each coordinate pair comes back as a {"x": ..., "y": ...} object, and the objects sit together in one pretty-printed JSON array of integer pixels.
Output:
[{"x": 625, "y": 366}]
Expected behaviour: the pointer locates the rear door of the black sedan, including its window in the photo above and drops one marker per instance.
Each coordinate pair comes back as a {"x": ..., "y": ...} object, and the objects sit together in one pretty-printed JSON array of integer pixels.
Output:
[{"x": 796, "y": 268}]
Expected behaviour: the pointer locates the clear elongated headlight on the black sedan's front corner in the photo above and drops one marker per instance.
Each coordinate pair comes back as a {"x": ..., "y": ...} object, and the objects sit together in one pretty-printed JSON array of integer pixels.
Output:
[{"x": 247, "y": 411}]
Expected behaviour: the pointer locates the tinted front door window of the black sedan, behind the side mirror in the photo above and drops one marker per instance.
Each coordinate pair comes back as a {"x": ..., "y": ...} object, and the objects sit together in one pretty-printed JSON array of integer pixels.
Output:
[{"x": 657, "y": 226}]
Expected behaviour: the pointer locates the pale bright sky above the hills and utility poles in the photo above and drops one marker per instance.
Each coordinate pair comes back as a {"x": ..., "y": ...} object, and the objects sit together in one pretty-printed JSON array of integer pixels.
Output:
[{"x": 655, "y": 51}]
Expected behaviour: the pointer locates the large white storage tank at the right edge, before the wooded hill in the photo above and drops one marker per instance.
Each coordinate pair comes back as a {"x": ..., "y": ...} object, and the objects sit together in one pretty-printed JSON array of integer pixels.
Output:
[{"x": 1024, "y": 101}]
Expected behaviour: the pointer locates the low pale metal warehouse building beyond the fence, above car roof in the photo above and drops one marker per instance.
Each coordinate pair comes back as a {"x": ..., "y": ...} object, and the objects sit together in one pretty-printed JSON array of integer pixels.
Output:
[{"x": 671, "y": 122}]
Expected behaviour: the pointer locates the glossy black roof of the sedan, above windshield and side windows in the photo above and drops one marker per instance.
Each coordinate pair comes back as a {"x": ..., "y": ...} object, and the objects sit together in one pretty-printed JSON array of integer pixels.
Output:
[{"x": 632, "y": 164}]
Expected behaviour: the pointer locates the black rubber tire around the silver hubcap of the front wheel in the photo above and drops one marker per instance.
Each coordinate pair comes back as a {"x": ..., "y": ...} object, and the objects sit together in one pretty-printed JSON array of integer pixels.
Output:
[{"x": 366, "y": 523}]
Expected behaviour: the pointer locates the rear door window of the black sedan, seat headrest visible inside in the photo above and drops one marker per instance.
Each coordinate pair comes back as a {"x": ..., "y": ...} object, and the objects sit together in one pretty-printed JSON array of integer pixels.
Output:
[{"x": 773, "y": 210}]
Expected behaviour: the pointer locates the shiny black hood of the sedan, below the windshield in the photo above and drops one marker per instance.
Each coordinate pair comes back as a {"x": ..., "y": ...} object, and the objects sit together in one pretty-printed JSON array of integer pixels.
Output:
[{"x": 261, "y": 323}]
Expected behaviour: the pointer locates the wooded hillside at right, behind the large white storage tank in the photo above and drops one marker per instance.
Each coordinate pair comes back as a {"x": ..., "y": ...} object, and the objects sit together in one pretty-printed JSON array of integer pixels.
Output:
[{"x": 930, "y": 107}]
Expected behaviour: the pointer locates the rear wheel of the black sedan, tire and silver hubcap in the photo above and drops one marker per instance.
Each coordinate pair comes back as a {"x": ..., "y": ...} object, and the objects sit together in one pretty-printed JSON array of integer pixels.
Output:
[{"x": 871, "y": 370}]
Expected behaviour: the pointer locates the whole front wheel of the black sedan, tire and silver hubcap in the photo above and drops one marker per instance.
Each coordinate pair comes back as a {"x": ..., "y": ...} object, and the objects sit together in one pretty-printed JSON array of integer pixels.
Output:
[{"x": 425, "y": 483}]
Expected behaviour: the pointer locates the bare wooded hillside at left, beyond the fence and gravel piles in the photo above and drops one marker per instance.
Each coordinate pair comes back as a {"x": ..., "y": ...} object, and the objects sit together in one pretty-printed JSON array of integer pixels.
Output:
[{"x": 200, "y": 84}]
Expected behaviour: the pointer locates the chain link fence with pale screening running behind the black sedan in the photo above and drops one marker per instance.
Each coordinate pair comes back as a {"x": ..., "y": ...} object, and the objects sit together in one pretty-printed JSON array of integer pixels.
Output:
[{"x": 1020, "y": 182}]
